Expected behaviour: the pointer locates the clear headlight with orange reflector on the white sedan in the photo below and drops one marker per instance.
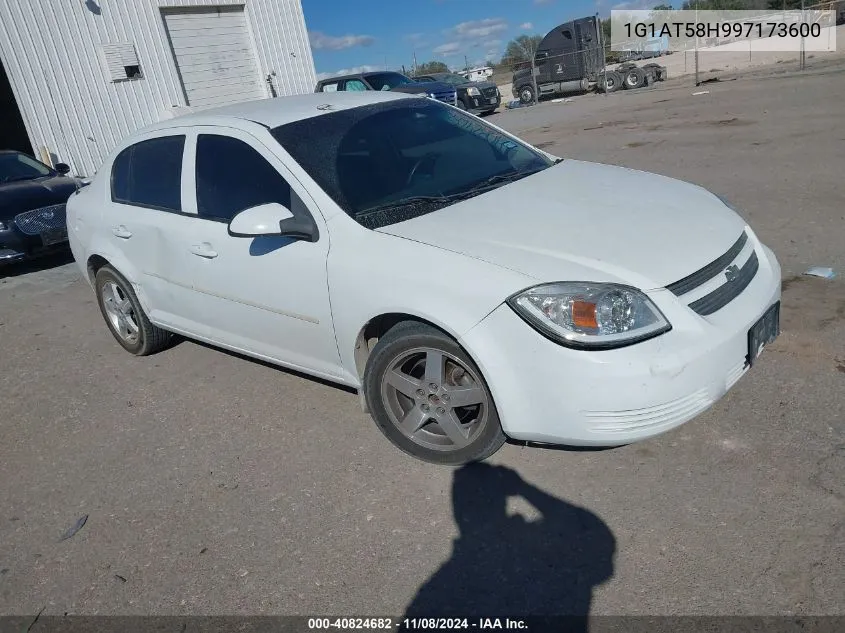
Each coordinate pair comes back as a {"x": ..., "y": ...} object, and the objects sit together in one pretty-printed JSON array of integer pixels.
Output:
[{"x": 588, "y": 315}]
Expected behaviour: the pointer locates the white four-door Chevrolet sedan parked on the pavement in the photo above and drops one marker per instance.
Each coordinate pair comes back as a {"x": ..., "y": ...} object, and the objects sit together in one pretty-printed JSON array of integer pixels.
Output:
[{"x": 470, "y": 286}]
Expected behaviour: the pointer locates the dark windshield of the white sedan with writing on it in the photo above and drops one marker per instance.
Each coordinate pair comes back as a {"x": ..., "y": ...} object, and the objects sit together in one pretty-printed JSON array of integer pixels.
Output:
[{"x": 389, "y": 162}]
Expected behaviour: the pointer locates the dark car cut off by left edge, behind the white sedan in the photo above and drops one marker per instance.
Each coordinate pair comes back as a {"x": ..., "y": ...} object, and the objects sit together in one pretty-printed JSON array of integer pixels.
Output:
[{"x": 32, "y": 206}]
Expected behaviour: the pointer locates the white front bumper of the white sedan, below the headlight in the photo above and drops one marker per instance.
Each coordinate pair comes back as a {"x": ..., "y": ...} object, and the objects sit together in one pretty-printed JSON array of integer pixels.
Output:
[{"x": 545, "y": 392}]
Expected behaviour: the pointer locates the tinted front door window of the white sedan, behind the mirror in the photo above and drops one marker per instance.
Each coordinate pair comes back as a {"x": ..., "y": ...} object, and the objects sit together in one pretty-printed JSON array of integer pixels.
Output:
[{"x": 232, "y": 176}]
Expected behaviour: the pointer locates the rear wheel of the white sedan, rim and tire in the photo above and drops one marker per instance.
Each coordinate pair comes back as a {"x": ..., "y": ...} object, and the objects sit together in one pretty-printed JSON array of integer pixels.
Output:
[{"x": 133, "y": 330}]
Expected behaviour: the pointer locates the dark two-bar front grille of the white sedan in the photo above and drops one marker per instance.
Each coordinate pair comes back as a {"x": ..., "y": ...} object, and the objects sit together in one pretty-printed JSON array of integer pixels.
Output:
[{"x": 727, "y": 292}]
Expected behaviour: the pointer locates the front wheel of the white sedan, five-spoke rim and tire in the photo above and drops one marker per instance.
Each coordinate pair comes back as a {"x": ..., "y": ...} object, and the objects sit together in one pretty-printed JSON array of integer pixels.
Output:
[{"x": 435, "y": 430}]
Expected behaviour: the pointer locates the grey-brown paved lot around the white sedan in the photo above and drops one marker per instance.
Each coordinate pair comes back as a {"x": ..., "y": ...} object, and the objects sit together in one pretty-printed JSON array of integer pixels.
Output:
[{"x": 214, "y": 484}]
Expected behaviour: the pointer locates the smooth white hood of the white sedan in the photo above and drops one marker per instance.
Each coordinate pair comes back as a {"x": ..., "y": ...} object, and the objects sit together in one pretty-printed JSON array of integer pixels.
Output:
[{"x": 581, "y": 221}]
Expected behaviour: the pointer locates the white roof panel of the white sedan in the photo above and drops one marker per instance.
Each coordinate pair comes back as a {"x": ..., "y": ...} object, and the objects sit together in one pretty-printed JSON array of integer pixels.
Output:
[{"x": 280, "y": 110}]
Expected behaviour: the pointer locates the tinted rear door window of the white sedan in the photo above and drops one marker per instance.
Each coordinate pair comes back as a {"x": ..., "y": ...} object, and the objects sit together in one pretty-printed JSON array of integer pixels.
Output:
[{"x": 149, "y": 174}]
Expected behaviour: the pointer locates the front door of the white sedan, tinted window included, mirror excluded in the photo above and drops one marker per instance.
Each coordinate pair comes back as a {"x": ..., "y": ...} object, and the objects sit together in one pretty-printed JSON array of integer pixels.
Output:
[{"x": 265, "y": 296}]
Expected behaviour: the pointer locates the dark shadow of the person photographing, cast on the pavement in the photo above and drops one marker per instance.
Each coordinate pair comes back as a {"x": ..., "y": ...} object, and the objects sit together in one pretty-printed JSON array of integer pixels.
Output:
[{"x": 511, "y": 566}]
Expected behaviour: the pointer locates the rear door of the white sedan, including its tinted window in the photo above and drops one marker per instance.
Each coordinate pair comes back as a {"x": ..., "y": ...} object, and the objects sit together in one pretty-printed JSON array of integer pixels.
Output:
[{"x": 146, "y": 227}]
